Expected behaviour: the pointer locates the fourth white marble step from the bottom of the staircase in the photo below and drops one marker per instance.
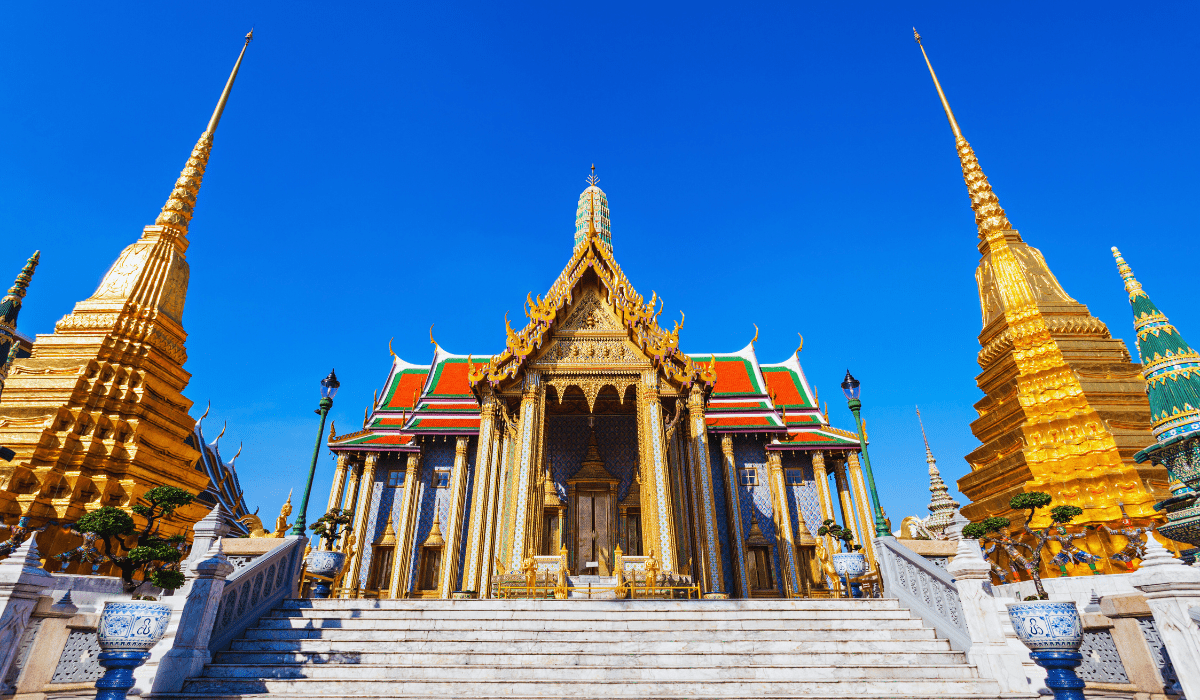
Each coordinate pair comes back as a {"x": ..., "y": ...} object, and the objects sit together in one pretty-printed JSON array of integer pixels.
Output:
[{"x": 454, "y": 647}]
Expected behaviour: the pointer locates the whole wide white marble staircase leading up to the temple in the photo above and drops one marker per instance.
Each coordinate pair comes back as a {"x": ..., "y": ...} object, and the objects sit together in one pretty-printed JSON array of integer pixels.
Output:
[{"x": 591, "y": 649}]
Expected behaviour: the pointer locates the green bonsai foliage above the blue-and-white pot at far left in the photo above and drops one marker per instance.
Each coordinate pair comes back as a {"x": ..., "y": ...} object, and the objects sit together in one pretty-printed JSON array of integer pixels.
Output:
[{"x": 107, "y": 530}]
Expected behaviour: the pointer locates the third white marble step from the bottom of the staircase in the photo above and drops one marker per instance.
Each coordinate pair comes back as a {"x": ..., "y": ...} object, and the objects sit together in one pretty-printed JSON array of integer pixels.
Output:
[{"x": 719, "y": 655}]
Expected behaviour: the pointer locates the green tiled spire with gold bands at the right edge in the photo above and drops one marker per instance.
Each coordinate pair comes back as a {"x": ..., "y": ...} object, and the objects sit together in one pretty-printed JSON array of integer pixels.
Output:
[{"x": 1173, "y": 384}]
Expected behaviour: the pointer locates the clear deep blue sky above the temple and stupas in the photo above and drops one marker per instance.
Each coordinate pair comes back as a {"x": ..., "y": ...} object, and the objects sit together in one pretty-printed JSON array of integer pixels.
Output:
[{"x": 386, "y": 166}]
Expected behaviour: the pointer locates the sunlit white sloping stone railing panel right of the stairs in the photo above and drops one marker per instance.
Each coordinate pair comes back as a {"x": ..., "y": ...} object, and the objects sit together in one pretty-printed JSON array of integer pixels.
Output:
[{"x": 925, "y": 589}]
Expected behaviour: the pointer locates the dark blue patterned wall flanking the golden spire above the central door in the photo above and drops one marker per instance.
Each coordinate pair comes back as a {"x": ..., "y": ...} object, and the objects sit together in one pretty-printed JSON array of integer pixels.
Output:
[{"x": 567, "y": 442}]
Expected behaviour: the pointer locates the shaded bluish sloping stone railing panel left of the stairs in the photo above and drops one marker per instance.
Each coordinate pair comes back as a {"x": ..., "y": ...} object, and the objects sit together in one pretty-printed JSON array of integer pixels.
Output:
[{"x": 256, "y": 589}]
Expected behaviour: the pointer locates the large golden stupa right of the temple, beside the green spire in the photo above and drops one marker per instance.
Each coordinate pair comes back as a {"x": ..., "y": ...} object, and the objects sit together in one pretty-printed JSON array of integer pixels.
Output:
[{"x": 1065, "y": 409}]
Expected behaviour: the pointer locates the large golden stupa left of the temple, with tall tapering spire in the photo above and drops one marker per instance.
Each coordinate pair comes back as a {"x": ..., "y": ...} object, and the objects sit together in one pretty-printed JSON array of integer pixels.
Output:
[{"x": 97, "y": 416}]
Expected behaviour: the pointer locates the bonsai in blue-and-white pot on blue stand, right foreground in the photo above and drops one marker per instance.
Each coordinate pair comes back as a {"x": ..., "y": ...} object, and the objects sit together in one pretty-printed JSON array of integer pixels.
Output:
[{"x": 1052, "y": 630}]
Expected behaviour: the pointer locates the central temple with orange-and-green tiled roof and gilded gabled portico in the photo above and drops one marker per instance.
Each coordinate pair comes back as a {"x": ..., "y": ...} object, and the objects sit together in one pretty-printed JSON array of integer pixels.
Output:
[{"x": 592, "y": 442}]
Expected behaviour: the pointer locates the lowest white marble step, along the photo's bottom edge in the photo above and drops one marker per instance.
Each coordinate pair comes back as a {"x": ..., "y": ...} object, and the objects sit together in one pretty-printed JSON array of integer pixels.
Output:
[{"x": 567, "y": 687}]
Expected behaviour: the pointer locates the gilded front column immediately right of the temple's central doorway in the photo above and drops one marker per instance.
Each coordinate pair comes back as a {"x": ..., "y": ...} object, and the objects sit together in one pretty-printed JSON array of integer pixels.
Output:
[{"x": 655, "y": 456}]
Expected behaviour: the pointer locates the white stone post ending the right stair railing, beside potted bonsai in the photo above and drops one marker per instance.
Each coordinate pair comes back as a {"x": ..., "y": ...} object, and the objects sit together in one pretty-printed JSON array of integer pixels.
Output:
[{"x": 991, "y": 650}]
